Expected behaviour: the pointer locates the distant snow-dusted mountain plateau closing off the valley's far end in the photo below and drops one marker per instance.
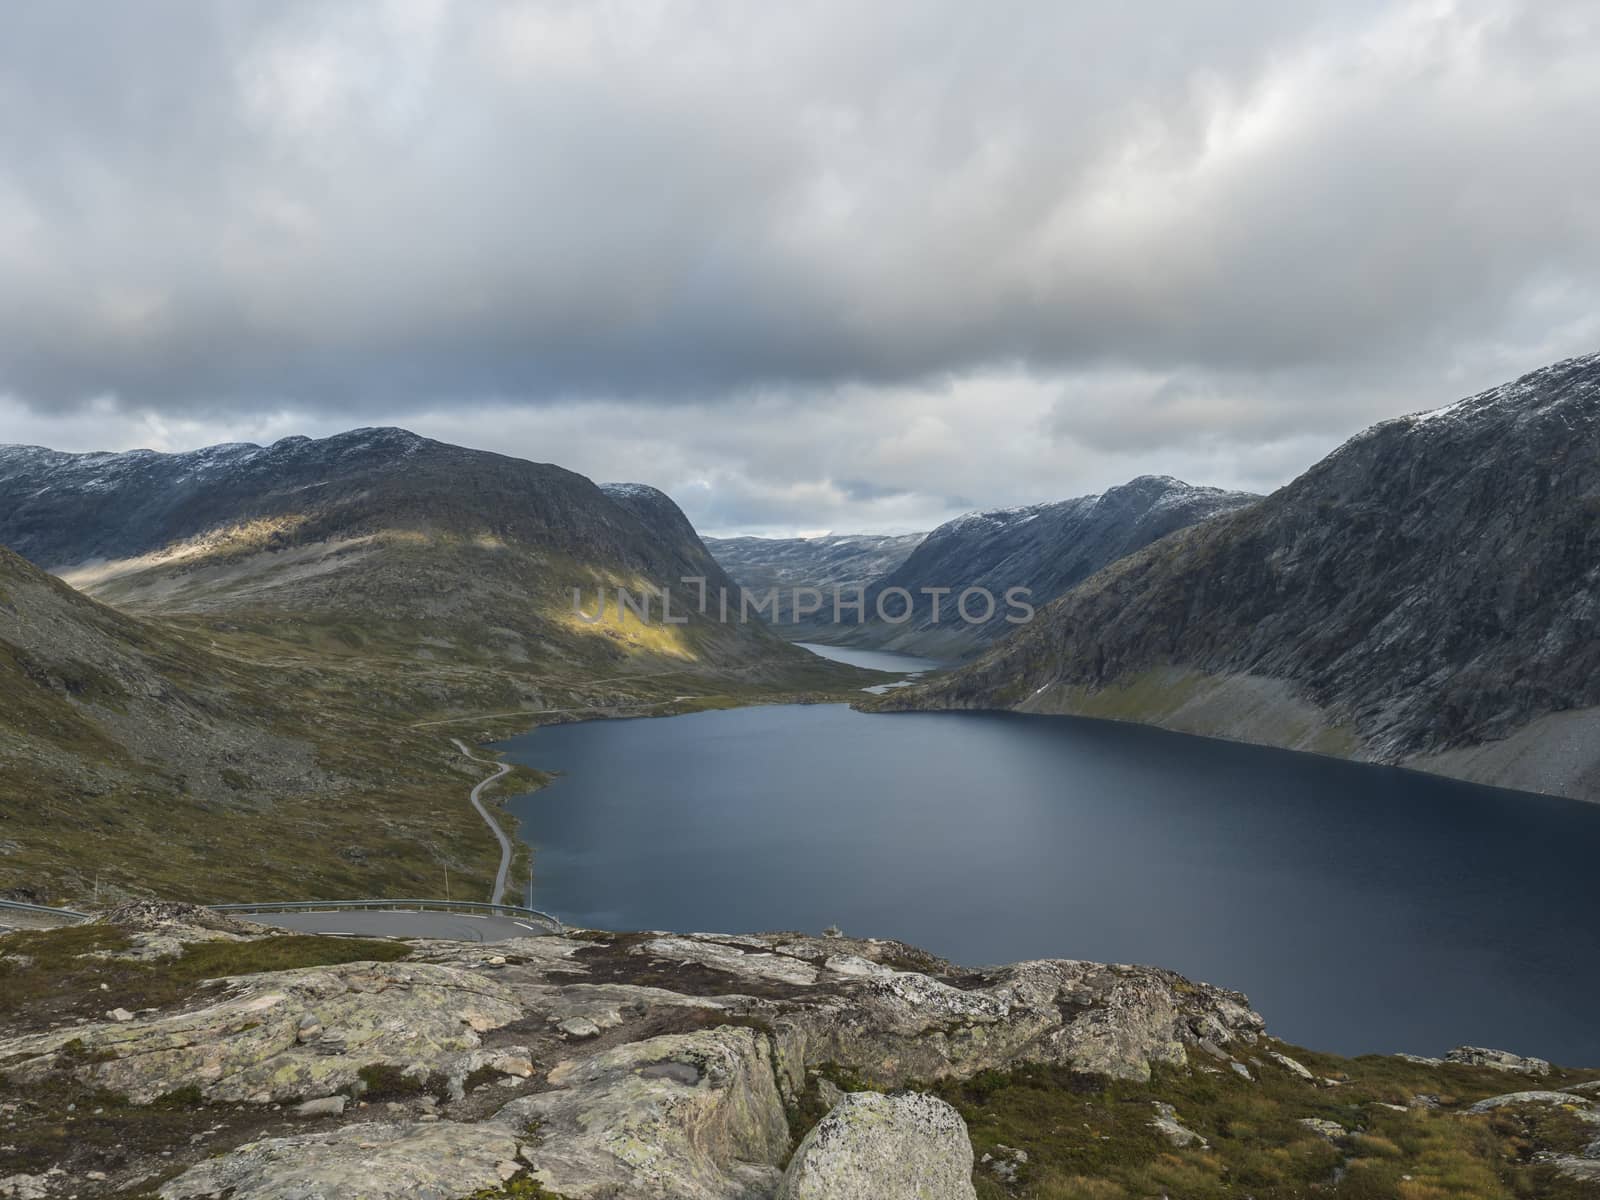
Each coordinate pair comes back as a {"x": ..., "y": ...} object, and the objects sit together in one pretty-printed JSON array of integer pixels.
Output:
[{"x": 834, "y": 561}]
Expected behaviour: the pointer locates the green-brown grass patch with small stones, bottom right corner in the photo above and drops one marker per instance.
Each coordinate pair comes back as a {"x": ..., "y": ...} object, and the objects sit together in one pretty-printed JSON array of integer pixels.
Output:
[{"x": 1090, "y": 1138}]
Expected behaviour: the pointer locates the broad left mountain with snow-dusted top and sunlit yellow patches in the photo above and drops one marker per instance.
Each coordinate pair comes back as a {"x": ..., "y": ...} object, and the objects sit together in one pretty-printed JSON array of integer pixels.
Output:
[{"x": 378, "y": 542}]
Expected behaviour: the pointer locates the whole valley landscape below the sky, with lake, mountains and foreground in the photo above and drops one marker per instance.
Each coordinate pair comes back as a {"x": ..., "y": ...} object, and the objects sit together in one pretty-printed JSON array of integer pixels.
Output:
[{"x": 268, "y": 673}]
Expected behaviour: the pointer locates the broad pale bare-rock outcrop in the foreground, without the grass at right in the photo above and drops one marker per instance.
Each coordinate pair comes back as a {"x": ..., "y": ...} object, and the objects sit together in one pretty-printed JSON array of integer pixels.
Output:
[{"x": 617, "y": 1066}]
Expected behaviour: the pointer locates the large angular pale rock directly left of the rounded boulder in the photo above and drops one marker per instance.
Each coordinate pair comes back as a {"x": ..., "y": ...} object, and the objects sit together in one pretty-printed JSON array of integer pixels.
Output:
[{"x": 684, "y": 1116}]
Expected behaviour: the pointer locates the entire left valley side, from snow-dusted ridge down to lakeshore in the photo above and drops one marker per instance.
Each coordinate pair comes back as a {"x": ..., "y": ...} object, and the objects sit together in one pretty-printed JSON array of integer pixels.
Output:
[{"x": 295, "y": 634}]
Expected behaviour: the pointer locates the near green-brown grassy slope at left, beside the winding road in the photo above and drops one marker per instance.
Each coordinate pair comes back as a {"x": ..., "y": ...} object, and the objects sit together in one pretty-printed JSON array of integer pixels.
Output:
[{"x": 137, "y": 758}]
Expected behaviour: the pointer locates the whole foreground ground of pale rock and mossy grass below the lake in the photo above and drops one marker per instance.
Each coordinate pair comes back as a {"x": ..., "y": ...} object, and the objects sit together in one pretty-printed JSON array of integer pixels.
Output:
[{"x": 166, "y": 1052}]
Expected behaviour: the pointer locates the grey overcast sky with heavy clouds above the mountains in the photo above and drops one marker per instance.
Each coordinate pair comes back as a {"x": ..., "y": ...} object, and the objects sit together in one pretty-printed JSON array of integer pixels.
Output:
[{"x": 814, "y": 266}]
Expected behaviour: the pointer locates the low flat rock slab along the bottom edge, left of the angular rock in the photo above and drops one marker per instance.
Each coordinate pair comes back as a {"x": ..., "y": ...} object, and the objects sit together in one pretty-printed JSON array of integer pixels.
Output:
[{"x": 406, "y": 1161}]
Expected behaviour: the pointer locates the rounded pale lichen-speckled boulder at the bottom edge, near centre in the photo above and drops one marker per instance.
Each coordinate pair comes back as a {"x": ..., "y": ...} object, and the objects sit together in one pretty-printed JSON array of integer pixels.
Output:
[{"x": 884, "y": 1148}]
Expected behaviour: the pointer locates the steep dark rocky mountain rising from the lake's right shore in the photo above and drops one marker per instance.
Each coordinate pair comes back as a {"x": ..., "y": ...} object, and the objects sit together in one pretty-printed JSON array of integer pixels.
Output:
[{"x": 1428, "y": 594}]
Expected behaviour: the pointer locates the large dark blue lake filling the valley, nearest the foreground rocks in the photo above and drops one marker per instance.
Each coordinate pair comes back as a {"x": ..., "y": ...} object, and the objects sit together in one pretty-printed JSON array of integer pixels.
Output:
[{"x": 1361, "y": 908}]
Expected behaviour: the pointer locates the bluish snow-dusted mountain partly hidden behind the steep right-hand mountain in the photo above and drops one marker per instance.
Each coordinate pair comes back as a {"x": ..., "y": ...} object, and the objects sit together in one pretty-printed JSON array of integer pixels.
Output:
[{"x": 1042, "y": 548}]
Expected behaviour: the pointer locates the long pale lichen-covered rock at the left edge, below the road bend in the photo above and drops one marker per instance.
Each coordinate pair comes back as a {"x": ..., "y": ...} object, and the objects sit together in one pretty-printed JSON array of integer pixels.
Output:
[{"x": 247, "y": 1046}]
